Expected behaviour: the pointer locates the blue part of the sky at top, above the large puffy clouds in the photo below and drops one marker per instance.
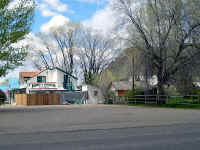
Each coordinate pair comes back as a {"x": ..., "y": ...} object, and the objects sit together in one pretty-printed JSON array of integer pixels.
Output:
[{"x": 74, "y": 10}]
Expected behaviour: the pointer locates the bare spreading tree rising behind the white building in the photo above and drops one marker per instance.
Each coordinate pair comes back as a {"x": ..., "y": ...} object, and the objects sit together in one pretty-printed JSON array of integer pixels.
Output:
[{"x": 59, "y": 48}]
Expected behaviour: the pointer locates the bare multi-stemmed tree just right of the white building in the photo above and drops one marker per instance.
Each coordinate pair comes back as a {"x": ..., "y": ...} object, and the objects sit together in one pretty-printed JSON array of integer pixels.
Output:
[{"x": 95, "y": 54}]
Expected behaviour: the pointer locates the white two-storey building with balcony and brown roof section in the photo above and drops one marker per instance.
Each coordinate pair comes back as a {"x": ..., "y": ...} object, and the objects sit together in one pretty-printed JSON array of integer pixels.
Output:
[{"x": 48, "y": 80}]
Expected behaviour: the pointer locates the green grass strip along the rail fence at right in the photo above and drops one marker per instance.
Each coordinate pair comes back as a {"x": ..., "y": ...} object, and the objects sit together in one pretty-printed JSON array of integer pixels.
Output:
[{"x": 181, "y": 106}]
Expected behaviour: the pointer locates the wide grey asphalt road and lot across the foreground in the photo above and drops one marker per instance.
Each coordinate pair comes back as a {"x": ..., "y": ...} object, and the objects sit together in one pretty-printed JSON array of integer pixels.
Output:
[{"x": 98, "y": 128}]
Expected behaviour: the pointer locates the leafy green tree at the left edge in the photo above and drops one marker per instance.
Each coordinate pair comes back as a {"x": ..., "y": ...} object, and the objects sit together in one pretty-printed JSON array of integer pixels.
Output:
[{"x": 15, "y": 22}]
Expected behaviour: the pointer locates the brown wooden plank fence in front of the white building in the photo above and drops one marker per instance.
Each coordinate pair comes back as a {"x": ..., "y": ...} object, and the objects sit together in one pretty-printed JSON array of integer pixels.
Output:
[{"x": 37, "y": 99}]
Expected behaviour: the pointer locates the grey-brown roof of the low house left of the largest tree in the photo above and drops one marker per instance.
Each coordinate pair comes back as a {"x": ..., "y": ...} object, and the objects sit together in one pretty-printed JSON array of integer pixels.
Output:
[{"x": 122, "y": 85}]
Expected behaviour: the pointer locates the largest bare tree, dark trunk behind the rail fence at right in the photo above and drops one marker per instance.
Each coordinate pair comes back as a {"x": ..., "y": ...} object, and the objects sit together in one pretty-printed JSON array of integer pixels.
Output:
[{"x": 166, "y": 31}]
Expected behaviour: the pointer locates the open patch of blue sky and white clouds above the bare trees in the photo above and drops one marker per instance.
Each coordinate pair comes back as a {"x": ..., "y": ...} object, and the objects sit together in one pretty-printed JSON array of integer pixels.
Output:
[{"x": 50, "y": 13}]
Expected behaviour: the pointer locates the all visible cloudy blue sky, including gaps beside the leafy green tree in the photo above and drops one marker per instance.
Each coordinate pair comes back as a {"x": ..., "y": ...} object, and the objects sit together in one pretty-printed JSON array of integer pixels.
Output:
[{"x": 97, "y": 14}]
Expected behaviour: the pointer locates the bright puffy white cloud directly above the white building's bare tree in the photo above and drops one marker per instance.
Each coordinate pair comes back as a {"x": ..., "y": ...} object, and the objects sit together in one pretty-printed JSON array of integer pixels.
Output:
[{"x": 55, "y": 22}]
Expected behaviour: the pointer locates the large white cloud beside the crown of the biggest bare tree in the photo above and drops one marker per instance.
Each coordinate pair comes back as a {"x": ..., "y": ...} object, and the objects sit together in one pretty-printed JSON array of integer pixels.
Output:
[{"x": 107, "y": 21}]
